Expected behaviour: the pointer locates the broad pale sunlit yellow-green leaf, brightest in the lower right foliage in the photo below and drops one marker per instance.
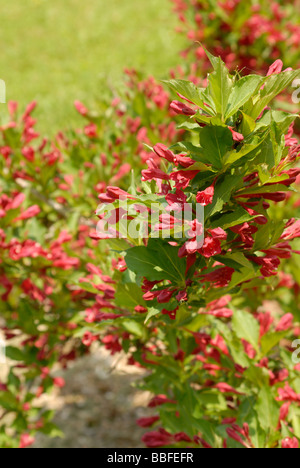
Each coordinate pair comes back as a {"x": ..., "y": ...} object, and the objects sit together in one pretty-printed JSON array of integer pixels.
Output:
[{"x": 246, "y": 327}]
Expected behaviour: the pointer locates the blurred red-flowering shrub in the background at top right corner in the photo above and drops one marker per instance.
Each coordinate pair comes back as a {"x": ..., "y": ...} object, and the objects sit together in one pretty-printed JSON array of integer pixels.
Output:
[{"x": 250, "y": 35}]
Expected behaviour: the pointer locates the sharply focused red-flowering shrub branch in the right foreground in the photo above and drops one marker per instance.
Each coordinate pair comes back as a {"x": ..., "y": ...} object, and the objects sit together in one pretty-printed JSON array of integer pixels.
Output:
[{"x": 198, "y": 315}]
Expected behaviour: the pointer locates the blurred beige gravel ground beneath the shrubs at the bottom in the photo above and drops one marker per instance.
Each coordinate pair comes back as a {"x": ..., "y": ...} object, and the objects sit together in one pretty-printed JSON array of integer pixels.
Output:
[{"x": 98, "y": 406}]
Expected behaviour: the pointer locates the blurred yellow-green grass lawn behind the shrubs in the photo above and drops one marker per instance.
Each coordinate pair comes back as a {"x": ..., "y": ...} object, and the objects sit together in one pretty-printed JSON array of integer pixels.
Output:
[{"x": 56, "y": 51}]
